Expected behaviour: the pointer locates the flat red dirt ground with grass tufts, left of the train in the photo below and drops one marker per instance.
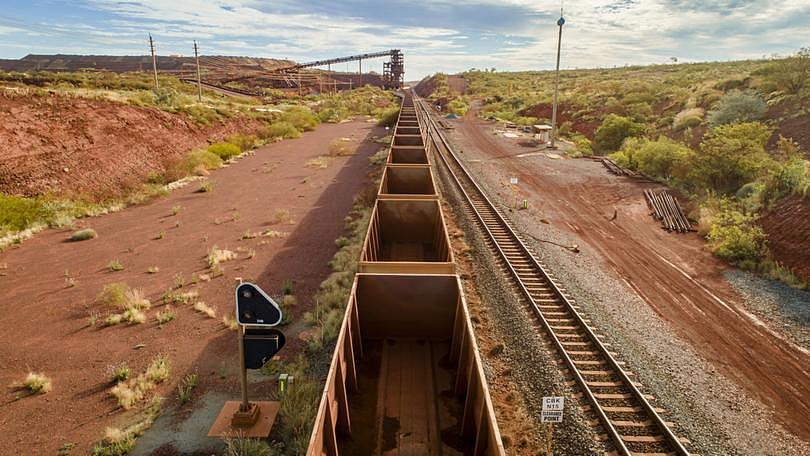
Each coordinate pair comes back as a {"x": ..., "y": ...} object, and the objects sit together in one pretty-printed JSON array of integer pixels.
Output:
[{"x": 45, "y": 323}]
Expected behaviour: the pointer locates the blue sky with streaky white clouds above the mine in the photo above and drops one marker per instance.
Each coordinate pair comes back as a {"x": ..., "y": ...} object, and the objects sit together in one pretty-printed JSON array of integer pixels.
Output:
[{"x": 435, "y": 35}]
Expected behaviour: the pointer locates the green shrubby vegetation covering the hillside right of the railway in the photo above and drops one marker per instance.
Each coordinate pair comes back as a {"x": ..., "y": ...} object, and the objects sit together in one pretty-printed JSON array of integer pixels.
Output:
[{"x": 705, "y": 129}]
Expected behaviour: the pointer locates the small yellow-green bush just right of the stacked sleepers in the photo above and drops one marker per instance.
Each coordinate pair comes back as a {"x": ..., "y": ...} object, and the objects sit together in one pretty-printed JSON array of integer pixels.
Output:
[{"x": 735, "y": 237}]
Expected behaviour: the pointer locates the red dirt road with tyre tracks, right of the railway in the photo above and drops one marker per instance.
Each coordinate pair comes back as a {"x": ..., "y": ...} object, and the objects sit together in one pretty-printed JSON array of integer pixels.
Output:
[{"x": 673, "y": 273}]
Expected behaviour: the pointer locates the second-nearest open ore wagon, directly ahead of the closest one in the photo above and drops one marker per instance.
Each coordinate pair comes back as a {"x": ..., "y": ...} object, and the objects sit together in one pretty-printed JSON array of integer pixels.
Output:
[{"x": 407, "y": 236}]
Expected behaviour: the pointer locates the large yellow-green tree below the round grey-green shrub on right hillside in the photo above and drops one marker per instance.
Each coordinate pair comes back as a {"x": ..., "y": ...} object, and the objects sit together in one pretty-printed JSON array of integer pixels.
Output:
[{"x": 731, "y": 156}]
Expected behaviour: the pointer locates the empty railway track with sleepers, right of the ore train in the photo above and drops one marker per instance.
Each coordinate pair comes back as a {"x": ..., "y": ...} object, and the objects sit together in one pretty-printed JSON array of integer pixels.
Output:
[{"x": 631, "y": 424}]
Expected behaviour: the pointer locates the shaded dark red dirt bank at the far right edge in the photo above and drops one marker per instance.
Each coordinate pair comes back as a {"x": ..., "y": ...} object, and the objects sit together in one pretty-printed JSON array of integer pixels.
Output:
[{"x": 788, "y": 228}]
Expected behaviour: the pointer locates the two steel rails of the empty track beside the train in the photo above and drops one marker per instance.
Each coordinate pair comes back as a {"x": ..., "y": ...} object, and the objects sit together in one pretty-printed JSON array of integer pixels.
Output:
[{"x": 616, "y": 437}]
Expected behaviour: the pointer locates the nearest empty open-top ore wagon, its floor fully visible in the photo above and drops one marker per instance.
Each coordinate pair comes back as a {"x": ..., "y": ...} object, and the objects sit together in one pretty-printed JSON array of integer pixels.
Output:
[{"x": 406, "y": 341}]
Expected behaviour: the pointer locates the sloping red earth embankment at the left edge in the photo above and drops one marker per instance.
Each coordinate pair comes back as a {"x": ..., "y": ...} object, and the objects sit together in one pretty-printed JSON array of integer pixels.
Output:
[{"x": 96, "y": 148}]
